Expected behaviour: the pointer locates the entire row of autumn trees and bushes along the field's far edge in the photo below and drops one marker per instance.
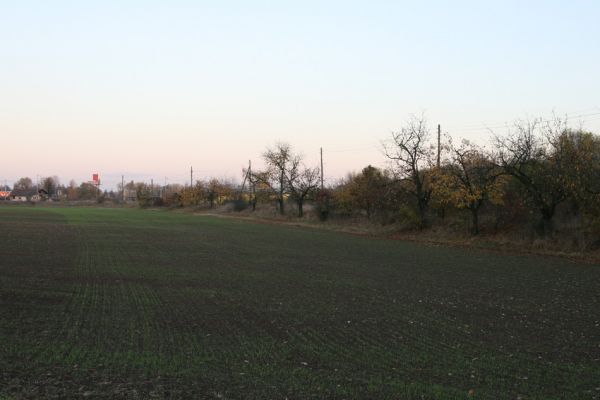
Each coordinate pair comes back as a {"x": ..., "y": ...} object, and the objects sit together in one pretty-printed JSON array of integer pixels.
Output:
[{"x": 536, "y": 171}]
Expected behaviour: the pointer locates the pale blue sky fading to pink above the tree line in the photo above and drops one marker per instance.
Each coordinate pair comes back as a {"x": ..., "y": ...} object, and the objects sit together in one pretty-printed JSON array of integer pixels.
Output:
[{"x": 146, "y": 89}]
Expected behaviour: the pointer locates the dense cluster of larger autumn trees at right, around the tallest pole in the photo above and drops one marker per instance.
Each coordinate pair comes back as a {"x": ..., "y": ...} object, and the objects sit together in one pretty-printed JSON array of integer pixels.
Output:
[{"x": 537, "y": 169}]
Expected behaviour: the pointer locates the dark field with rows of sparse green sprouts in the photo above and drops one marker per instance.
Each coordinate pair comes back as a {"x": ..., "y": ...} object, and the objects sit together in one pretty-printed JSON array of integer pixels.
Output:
[{"x": 127, "y": 303}]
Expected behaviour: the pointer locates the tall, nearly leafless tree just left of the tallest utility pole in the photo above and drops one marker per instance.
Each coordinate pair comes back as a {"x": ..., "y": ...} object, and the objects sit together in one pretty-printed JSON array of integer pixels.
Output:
[{"x": 409, "y": 152}]
